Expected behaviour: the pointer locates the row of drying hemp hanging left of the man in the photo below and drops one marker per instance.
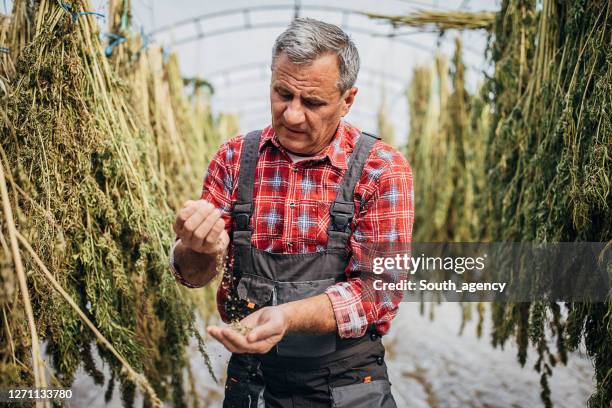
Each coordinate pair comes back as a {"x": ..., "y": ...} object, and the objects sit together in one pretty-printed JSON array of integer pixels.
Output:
[{"x": 99, "y": 146}]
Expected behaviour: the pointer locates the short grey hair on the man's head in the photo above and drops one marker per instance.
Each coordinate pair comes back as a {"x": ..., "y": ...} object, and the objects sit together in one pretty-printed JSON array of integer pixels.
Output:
[{"x": 306, "y": 39}]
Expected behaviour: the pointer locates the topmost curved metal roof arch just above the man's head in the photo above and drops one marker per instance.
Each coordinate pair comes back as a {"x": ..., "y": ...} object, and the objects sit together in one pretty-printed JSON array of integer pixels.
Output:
[{"x": 245, "y": 11}]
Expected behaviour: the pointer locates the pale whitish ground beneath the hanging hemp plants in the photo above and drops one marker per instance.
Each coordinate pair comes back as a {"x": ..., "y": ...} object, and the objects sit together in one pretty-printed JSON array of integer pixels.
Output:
[{"x": 429, "y": 366}]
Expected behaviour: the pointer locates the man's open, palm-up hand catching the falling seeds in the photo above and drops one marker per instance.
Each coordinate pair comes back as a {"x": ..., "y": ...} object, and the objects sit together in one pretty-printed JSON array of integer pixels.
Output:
[{"x": 268, "y": 324}]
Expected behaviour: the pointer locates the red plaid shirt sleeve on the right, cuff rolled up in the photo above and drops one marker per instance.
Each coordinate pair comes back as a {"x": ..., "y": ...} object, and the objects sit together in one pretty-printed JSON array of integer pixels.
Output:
[{"x": 386, "y": 217}]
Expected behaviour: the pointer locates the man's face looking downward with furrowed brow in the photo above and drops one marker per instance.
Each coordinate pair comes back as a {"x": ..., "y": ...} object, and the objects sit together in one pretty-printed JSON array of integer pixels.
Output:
[{"x": 307, "y": 104}]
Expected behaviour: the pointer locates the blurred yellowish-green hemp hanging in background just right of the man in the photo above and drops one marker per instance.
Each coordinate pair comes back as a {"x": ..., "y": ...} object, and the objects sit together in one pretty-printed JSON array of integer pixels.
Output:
[{"x": 448, "y": 131}]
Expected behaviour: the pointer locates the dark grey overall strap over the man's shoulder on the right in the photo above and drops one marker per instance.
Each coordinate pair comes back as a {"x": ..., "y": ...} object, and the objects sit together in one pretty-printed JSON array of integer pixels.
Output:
[{"x": 342, "y": 209}]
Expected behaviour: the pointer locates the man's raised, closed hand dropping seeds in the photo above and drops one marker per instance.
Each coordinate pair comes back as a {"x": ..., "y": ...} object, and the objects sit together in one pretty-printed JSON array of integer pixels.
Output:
[{"x": 200, "y": 227}]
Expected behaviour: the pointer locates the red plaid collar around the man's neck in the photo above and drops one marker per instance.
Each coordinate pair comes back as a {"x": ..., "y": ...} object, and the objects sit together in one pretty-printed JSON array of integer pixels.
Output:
[{"x": 341, "y": 144}]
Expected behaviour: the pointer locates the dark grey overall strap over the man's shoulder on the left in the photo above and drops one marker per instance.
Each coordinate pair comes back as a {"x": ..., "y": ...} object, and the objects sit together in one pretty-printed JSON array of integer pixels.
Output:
[{"x": 243, "y": 207}]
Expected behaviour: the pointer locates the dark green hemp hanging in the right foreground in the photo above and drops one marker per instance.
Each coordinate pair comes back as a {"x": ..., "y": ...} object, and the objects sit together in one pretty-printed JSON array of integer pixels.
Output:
[{"x": 549, "y": 164}]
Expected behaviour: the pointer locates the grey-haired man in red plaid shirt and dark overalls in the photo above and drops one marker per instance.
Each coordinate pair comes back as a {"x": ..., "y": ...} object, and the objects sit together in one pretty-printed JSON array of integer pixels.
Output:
[{"x": 295, "y": 206}]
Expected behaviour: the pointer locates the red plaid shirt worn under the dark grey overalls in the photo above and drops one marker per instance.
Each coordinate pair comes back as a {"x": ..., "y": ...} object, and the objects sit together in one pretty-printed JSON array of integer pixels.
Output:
[{"x": 291, "y": 213}]
